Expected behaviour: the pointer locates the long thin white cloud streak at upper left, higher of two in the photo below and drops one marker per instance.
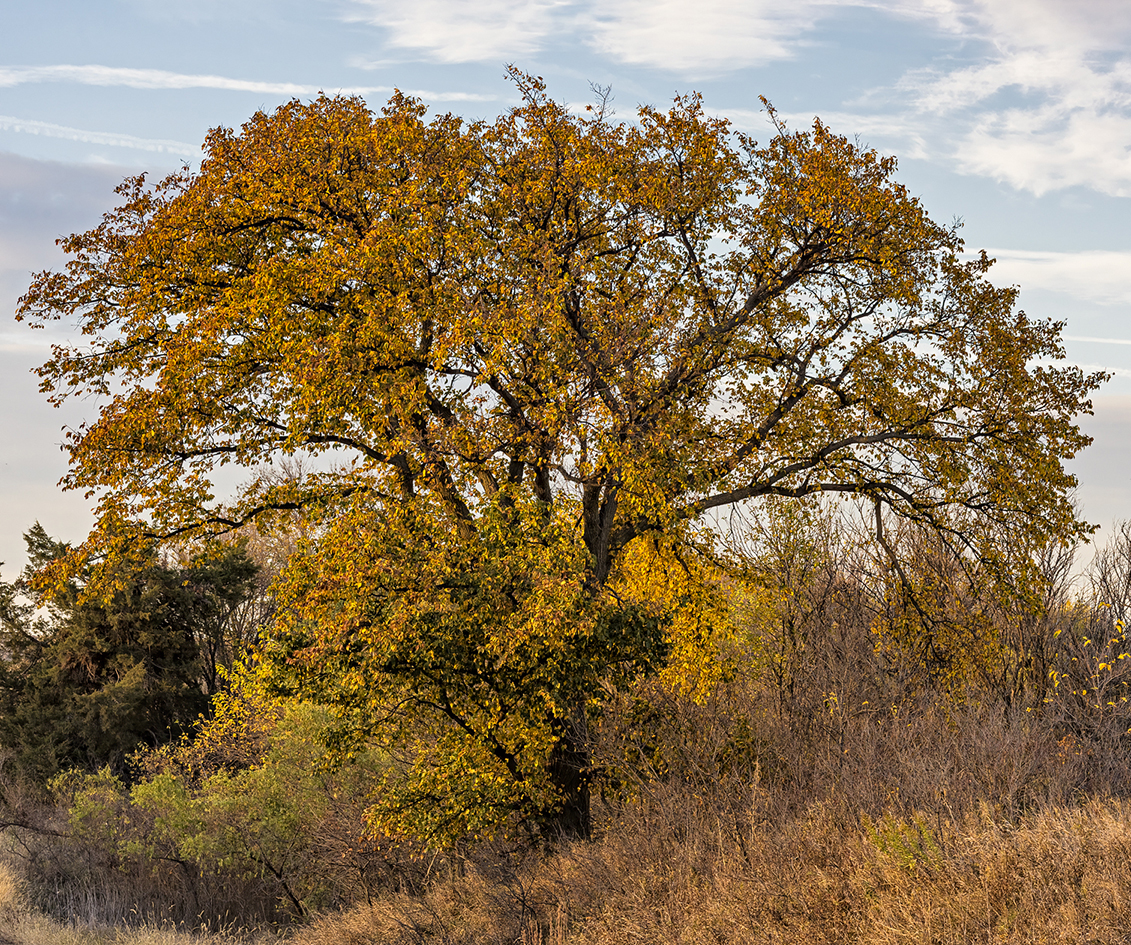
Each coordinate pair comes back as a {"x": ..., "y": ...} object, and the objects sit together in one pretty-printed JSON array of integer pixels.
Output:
[{"x": 161, "y": 80}]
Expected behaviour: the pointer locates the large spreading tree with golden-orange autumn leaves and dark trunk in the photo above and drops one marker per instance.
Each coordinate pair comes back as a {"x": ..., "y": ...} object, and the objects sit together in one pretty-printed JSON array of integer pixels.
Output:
[{"x": 538, "y": 340}]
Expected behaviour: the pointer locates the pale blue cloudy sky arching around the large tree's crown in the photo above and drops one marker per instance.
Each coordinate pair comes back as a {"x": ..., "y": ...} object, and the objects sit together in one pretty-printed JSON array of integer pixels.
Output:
[{"x": 1012, "y": 116}]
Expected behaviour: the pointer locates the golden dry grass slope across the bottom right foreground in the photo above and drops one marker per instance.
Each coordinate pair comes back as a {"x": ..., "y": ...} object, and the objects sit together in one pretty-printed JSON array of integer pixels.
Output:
[{"x": 1060, "y": 877}]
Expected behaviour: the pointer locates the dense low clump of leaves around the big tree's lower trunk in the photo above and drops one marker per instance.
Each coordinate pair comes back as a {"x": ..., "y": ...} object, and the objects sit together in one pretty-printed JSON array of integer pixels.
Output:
[{"x": 469, "y": 658}]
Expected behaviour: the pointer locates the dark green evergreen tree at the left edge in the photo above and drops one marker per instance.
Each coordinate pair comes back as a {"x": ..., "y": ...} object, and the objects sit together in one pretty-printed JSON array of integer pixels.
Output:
[{"x": 99, "y": 677}]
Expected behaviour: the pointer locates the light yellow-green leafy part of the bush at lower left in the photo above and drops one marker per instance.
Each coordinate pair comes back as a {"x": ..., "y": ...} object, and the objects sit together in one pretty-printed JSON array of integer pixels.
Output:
[{"x": 251, "y": 818}]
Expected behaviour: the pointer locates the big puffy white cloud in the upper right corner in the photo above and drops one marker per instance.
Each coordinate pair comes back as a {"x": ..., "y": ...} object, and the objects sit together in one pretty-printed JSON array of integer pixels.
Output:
[{"x": 1066, "y": 75}]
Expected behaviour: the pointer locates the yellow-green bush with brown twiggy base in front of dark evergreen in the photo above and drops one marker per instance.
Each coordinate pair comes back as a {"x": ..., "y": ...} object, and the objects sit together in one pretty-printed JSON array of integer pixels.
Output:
[{"x": 240, "y": 825}]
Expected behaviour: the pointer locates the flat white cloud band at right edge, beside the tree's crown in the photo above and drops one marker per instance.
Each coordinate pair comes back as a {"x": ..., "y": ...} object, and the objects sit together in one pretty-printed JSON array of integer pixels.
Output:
[{"x": 1101, "y": 276}]
